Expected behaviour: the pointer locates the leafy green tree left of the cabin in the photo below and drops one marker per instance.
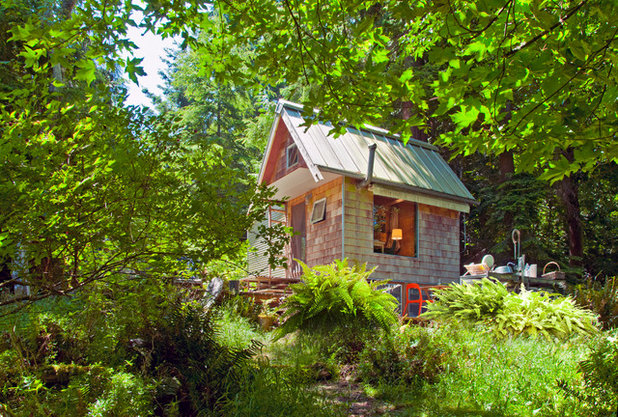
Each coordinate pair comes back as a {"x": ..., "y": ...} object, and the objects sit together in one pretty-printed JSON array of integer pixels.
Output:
[{"x": 97, "y": 189}]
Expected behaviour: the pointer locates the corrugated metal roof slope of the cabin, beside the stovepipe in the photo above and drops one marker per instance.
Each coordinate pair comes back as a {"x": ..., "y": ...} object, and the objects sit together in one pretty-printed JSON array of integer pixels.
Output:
[{"x": 414, "y": 164}]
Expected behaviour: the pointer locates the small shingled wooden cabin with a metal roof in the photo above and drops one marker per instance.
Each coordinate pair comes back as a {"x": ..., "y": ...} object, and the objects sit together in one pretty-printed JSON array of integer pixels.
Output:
[{"x": 398, "y": 209}]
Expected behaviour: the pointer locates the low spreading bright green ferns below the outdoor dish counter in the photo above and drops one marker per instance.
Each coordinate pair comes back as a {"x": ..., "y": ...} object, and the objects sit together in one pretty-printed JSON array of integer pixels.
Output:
[{"x": 507, "y": 313}]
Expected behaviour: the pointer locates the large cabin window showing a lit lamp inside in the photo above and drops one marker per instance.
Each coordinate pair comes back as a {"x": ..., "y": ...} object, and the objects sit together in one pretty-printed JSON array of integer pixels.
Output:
[{"x": 395, "y": 227}]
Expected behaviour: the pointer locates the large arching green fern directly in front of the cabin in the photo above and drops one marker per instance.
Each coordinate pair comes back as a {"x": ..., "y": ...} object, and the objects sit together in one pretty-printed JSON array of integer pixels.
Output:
[{"x": 335, "y": 298}]
